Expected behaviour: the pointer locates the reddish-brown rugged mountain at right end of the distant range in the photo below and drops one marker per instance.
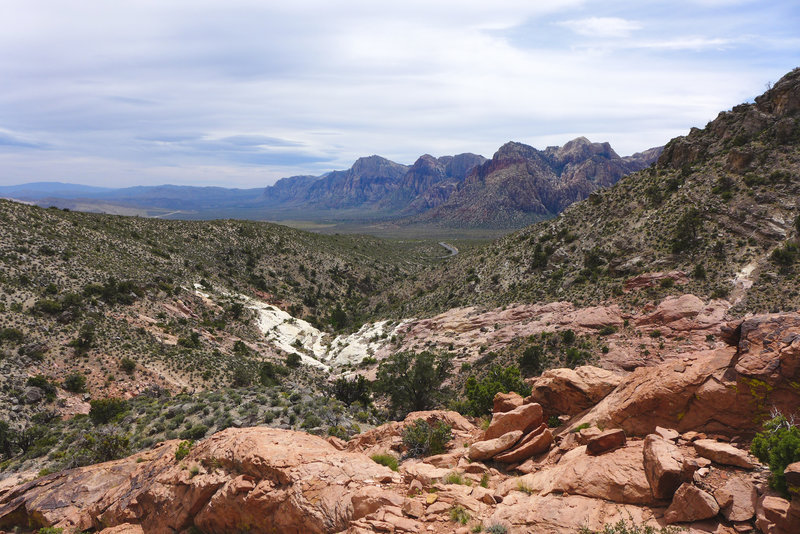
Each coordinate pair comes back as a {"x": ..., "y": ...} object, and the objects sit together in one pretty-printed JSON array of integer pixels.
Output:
[{"x": 522, "y": 184}]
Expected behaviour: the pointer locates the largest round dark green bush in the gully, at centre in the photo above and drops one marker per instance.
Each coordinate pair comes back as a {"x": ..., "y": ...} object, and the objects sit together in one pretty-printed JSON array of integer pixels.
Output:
[{"x": 413, "y": 382}]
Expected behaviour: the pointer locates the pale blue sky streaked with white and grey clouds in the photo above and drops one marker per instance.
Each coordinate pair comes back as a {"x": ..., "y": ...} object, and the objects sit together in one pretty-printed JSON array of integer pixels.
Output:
[{"x": 239, "y": 93}]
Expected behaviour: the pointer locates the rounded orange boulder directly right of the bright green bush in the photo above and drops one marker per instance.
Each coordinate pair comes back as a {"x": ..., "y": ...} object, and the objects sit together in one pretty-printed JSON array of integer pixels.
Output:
[{"x": 570, "y": 391}]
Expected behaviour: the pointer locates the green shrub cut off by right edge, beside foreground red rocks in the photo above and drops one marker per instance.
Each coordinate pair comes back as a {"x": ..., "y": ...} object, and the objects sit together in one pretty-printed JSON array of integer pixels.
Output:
[{"x": 778, "y": 445}]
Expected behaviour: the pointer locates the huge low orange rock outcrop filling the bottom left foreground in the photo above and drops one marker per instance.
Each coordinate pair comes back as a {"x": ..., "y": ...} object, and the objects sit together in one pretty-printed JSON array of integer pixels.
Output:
[{"x": 266, "y": 479}]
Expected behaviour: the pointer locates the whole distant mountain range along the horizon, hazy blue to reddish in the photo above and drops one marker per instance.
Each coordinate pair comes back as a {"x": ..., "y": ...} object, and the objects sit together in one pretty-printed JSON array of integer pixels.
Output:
[{"x": 518, "y": 185}]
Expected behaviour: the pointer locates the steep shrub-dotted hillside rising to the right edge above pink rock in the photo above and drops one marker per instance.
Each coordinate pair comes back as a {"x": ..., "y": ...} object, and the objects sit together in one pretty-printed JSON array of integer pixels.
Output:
[{"x": 716, "y": 215}]
